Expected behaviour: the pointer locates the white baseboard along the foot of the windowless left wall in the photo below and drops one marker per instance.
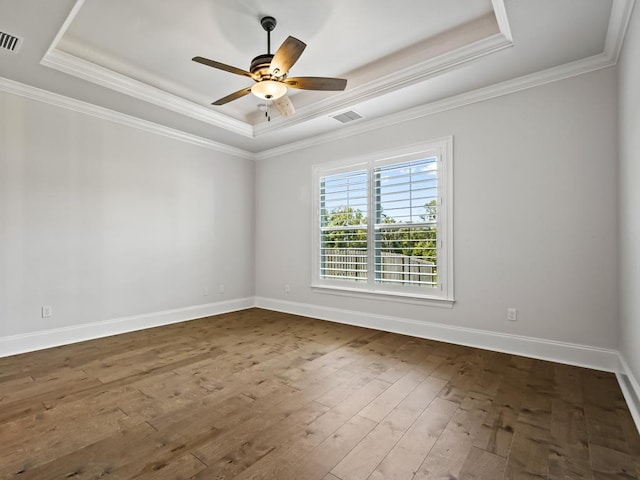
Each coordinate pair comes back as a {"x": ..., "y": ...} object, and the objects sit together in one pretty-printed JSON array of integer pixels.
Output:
[{"x": 28, "y": 342}]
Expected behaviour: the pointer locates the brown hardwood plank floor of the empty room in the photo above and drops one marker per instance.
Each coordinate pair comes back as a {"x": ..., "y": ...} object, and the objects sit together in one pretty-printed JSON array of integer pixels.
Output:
[{"x": 264, "y": 395}]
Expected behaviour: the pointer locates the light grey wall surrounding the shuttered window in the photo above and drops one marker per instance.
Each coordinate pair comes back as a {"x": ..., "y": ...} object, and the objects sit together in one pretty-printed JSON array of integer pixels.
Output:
[{"x": 535, "y": 220}]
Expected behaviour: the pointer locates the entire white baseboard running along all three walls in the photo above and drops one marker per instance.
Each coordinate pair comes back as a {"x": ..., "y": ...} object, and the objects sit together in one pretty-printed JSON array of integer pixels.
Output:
[{"x": 567, "y": 353}]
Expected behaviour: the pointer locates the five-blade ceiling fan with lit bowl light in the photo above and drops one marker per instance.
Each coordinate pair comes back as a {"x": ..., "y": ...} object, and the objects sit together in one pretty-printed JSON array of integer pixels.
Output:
[{"x": 269, "y": 71}]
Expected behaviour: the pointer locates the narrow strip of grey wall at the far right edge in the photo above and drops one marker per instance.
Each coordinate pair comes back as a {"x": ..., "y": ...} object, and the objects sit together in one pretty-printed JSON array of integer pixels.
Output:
[{"x": 629, "y": 126}]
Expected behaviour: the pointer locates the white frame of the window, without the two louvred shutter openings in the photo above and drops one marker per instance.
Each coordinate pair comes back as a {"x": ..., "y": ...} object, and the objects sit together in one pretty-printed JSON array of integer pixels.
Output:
[{"x": 443, "y": 294}]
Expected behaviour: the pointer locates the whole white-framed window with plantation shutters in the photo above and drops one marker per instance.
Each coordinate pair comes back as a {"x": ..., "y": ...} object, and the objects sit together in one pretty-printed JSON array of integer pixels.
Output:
[{"x": 383, "y": 224}]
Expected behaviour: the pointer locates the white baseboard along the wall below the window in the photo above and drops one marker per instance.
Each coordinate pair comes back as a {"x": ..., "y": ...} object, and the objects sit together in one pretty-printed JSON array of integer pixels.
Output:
[{"x": 562, "y": 352}]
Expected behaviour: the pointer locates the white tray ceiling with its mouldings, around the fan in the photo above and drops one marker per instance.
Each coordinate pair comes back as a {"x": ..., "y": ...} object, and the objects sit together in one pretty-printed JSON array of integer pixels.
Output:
[{"x": 400, "y": 58}]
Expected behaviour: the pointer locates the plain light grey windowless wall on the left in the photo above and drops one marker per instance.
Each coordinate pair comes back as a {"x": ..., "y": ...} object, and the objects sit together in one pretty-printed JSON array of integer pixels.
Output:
[{"x": 104, "y": 221}]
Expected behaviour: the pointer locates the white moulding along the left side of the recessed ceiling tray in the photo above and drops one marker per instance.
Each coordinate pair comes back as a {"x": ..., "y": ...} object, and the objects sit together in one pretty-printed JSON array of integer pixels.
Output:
[{"x": 94, "y": 73}]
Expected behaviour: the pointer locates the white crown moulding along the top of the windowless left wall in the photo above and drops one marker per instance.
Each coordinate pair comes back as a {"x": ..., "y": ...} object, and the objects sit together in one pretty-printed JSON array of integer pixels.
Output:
[{"x": 33, "y": 93}]
